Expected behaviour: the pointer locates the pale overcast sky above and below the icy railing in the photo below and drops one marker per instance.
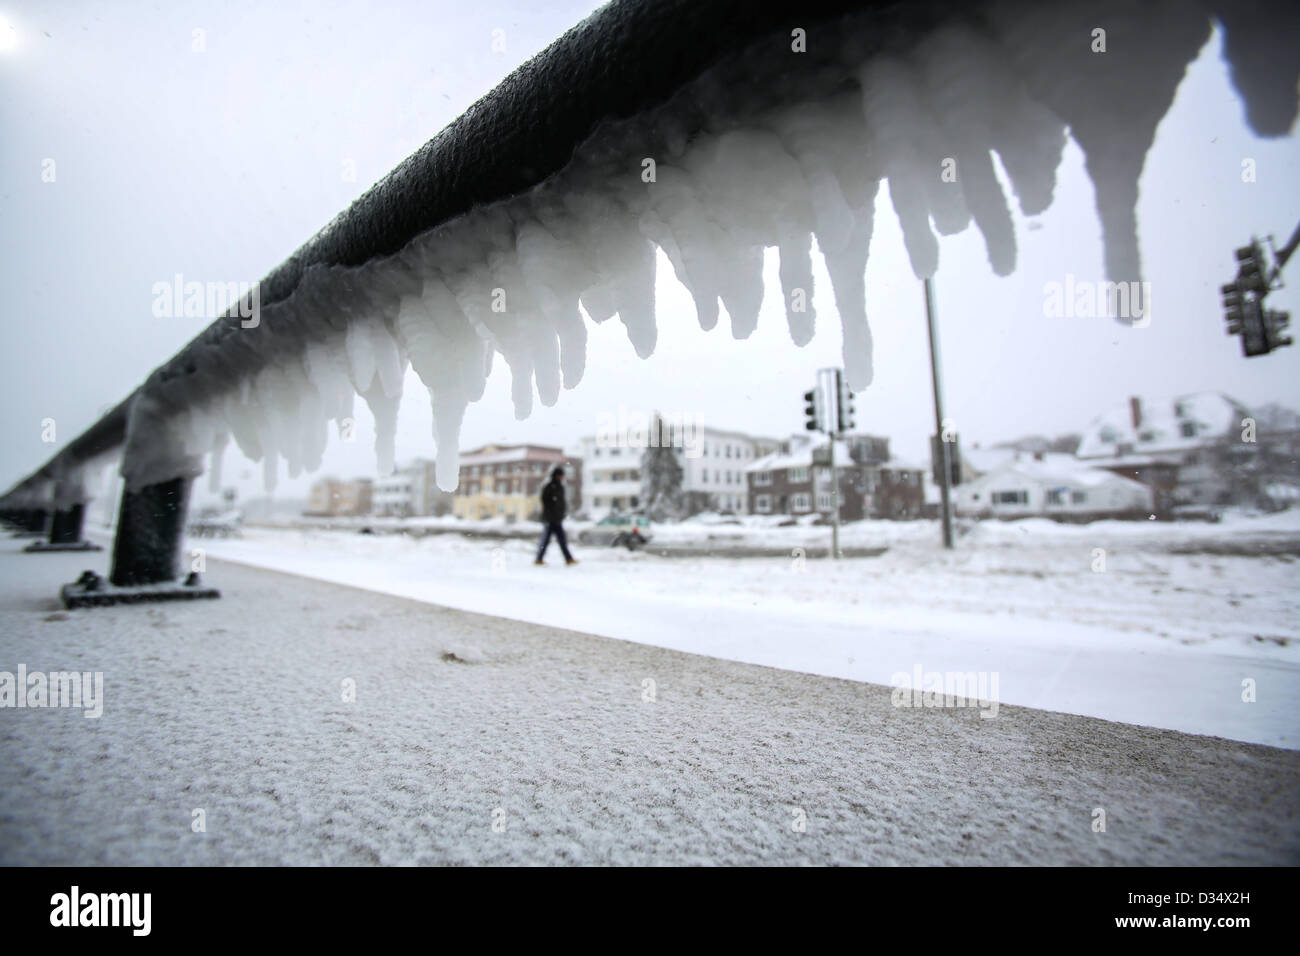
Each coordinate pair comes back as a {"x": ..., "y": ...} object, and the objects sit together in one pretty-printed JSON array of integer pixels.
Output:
[{"x": 218, "y": 163}]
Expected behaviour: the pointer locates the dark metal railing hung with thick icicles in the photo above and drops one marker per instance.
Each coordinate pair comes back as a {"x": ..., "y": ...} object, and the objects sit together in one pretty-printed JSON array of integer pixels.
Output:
[{"x": 708, "y": 131}]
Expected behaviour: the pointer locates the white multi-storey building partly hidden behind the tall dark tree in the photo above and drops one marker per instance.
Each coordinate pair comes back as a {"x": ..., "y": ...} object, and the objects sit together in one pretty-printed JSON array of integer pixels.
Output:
[{"x": 713, "y": 471}]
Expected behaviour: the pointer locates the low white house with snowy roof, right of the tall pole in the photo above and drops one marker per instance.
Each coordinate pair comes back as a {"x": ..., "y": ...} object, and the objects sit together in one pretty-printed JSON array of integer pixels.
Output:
[{"x": 1052, "y": 486}]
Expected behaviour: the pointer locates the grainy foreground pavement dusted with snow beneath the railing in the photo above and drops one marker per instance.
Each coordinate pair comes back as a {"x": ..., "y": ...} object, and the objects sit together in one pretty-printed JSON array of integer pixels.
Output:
[{"x": 461, "y": 721}]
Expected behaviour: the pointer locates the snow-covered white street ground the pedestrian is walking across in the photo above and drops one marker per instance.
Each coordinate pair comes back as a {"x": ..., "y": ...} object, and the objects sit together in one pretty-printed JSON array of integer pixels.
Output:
[{"x": 1160, "y": 630}]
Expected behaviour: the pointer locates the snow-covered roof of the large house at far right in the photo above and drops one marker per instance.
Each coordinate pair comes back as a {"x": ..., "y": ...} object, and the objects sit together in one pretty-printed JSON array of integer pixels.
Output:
[{"x": 1167, "y": 425}]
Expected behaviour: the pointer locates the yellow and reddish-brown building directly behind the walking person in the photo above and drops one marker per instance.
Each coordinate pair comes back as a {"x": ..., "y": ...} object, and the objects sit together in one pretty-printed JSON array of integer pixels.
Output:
[{"x": 506, "y": 481}]
